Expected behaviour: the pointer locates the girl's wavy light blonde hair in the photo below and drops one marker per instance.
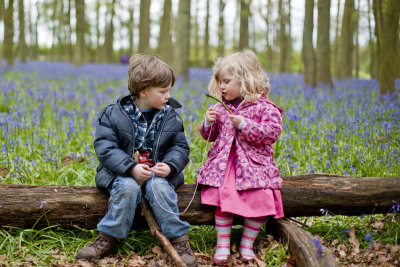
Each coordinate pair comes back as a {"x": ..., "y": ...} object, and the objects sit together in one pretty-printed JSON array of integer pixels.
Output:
[{"x": 244, "y": 66}]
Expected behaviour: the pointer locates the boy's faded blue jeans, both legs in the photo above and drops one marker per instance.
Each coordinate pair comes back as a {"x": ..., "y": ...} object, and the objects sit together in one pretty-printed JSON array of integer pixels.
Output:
[{"x": 125, "y": 195}]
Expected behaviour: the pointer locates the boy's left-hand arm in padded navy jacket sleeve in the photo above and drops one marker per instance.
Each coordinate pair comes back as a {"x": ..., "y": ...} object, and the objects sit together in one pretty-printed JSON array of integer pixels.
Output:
[{"x": 106, "y": 145}]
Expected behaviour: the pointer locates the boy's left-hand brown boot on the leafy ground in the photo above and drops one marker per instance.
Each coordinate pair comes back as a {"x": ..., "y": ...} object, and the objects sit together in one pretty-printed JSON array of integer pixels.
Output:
[{"x": 102, "y": 246}]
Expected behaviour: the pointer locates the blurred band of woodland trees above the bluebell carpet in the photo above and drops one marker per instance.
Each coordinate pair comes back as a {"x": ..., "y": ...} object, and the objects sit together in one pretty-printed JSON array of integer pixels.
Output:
[{"x": 180, "y": 32}]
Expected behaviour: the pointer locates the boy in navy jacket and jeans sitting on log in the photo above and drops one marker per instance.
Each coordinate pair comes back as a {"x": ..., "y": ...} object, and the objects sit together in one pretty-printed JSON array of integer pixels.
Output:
[{"x": 145, "y": 123}]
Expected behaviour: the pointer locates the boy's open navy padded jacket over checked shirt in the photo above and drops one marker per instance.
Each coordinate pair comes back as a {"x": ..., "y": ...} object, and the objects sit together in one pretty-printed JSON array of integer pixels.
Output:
[{"x": 115, "y": 137}]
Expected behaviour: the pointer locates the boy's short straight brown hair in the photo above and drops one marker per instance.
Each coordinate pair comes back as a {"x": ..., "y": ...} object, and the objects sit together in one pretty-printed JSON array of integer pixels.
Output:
[{"x": 148, "y": 71}]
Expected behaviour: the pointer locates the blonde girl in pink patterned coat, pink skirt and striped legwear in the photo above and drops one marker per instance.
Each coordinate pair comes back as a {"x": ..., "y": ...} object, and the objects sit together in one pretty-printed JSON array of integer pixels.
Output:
[{"x": 240, "y": 176}]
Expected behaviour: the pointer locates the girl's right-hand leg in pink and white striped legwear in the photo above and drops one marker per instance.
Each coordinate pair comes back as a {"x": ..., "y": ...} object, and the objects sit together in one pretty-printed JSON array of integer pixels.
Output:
[{"x": 250, "y": 231}]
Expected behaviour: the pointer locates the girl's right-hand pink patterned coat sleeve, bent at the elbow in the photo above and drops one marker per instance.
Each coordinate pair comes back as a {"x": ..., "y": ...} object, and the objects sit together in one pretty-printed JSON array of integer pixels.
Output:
[{"x": 267, "y": 131}]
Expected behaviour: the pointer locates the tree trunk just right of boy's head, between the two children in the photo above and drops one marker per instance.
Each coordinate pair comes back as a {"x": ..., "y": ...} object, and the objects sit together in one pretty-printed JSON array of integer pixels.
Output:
[{"x": 182, "y": 45}]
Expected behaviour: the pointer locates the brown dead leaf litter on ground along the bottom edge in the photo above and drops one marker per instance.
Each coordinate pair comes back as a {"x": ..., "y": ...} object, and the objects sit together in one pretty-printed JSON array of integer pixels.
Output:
[{"x": 376, "y": 254}]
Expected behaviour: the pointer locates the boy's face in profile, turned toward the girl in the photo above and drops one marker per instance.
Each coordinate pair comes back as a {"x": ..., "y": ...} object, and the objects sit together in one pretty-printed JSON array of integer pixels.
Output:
[{"x": 154, "y": 97}]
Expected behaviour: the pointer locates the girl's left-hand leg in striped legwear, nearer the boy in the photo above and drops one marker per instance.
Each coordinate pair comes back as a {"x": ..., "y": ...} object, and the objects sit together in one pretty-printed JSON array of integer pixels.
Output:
[{"x": 223, "y": 224}]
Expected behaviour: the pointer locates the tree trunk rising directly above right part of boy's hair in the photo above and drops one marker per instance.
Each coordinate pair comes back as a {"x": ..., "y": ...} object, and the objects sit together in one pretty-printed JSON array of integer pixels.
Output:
[{"x": 165, "y": 41}]
